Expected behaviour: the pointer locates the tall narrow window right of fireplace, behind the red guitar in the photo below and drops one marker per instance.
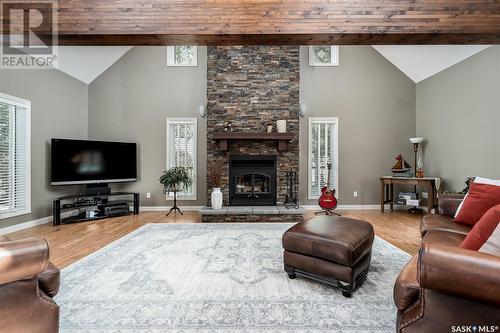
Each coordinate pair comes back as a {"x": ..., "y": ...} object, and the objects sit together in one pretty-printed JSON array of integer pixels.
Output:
[{"x": 323, "y": 148}]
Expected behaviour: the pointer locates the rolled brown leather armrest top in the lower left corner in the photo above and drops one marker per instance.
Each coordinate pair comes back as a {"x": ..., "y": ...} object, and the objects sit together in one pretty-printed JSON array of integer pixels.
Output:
[{"x": 23, "y": 259}]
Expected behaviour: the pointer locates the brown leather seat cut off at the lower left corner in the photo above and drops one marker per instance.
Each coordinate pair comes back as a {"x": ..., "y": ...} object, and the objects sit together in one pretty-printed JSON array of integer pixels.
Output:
[{"x": 28, "y": 282}]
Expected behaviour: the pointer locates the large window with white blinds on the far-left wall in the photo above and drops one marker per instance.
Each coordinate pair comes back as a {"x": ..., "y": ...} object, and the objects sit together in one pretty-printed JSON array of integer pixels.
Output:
[{"x": 15, "y": 195}]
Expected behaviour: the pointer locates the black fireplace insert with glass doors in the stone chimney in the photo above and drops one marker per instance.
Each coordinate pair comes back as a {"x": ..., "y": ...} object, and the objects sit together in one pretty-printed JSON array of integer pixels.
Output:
[{"x": 252, "y": 180}]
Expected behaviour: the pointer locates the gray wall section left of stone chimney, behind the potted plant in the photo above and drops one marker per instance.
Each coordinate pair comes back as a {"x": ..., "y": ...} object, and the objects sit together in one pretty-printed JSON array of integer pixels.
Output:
[{"x": 131, "y": 100}]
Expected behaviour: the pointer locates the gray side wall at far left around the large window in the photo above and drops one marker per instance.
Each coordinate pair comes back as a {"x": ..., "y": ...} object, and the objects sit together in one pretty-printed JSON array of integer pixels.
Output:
[{"x": 58, "y": 109}]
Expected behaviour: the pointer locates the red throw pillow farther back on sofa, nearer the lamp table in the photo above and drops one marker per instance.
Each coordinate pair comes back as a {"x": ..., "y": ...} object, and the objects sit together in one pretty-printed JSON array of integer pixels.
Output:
[{"x": 480, "y": 198}]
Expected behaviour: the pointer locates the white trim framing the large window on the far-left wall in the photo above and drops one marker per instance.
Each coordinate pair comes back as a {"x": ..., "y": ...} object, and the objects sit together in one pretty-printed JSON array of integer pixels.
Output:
[{"x": 25, "y": 104}]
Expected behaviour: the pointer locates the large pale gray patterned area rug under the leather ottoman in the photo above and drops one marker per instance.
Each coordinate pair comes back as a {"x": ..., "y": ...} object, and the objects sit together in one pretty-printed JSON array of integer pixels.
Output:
[{"x": 217, "y": 278}]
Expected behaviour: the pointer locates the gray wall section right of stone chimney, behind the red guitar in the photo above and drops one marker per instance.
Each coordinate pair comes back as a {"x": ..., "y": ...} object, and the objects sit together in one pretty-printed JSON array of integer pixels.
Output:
[{"x": 375, "y": 104}]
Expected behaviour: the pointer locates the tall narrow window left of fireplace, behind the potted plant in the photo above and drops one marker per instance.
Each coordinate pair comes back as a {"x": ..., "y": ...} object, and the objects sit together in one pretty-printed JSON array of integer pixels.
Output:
[{"x": 181, "y": 150}]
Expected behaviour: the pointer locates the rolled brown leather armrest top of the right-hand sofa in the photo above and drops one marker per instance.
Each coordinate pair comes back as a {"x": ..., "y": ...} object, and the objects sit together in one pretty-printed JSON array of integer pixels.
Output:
[{"x": 460, "y": 272}]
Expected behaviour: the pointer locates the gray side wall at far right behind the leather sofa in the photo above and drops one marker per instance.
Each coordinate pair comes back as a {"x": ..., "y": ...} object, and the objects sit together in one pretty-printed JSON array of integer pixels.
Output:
[{"x": 458, "y": 114}]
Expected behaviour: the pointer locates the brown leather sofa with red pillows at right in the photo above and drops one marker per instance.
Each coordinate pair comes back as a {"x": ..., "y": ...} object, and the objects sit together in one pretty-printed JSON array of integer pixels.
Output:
[{"x": 445, "y": 288}]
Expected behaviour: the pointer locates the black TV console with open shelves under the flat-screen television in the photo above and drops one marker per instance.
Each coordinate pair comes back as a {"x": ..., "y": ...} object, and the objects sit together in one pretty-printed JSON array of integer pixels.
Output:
[{"x": 86, "y": 206}]
